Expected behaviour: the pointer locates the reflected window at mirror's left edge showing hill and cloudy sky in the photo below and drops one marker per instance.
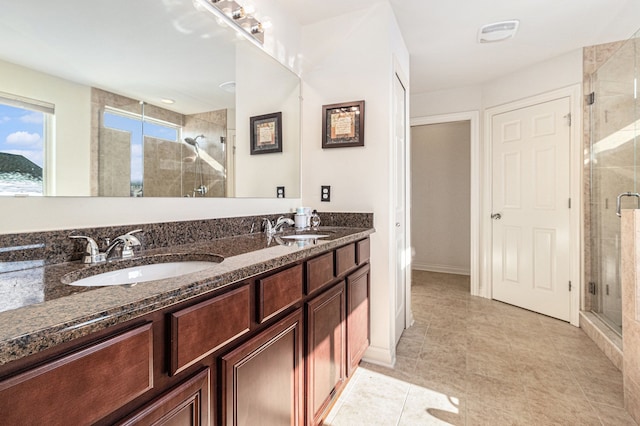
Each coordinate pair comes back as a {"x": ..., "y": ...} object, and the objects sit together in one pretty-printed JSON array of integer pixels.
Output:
[{"x": 23, "y": 125}]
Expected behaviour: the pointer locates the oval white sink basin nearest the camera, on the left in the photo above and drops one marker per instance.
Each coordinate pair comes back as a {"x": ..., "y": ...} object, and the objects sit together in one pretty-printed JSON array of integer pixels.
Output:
[{"x": 143, "y": 273}]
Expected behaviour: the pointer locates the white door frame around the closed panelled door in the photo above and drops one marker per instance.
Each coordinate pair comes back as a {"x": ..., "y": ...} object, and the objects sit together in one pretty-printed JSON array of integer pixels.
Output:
[{"x": 576, "y": 255}]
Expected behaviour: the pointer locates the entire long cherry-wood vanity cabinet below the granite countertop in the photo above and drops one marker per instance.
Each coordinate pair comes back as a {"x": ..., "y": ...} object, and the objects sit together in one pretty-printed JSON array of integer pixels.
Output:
[{"x": 275, "y": 349}]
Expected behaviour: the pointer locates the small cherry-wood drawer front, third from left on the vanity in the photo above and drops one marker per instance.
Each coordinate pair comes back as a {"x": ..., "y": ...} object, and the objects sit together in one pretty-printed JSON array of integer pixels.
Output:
[{"x": 278, "y": 292}]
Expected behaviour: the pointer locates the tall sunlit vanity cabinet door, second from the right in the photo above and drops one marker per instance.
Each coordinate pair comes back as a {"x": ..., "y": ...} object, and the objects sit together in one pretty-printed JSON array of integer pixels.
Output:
[{"x": 326, "y": 350}]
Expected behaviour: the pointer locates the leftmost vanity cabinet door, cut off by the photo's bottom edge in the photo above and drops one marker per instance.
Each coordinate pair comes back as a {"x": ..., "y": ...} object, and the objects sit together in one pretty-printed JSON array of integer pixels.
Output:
[{"x": 187, "y": 404}]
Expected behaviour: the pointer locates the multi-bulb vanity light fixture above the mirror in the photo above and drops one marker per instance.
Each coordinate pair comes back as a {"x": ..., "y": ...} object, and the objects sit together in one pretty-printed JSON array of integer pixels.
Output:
[{"x": 242, "y": 18}]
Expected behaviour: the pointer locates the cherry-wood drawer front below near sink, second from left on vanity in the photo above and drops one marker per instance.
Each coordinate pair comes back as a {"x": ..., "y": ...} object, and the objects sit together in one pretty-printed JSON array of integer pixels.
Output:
[{"x": 199, "y": 330}]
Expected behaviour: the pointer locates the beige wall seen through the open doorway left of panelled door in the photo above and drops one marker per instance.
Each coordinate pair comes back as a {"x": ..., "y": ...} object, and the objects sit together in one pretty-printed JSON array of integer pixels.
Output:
[{"x": 440, "y": 197}]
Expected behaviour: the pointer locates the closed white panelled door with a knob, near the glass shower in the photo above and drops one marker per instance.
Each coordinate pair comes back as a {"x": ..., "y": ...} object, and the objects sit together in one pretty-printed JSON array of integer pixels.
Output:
[{"x": 530, "y": 207}]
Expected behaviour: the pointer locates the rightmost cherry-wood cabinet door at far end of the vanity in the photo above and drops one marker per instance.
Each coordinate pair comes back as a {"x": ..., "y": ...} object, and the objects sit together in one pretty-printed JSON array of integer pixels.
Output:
[{"x": 357, "y": 316}]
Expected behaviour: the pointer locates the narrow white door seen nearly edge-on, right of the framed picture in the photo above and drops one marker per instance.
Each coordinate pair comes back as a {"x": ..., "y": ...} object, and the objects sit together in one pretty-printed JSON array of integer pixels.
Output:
[{"x": 399, "y": 95}]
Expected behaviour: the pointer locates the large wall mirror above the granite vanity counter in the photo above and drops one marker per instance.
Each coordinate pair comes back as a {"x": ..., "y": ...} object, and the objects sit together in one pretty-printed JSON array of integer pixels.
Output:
[{"x": 150, "y": 98}]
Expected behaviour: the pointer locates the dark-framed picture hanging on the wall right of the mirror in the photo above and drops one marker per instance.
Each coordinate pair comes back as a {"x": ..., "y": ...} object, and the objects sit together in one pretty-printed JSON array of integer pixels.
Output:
[{"x": 343, "y": 125}]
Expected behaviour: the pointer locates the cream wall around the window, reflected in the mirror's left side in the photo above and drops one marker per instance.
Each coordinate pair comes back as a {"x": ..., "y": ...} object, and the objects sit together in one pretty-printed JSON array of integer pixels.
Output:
[{"x": 72, "y": 126}]
